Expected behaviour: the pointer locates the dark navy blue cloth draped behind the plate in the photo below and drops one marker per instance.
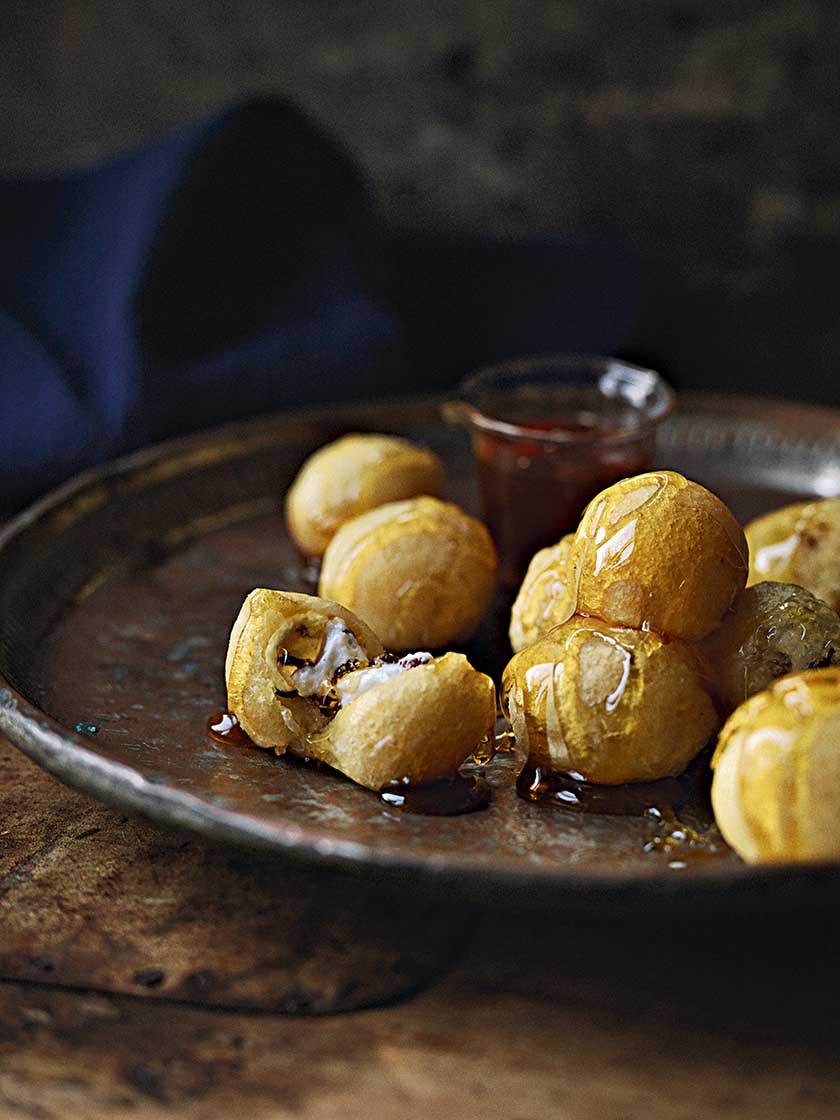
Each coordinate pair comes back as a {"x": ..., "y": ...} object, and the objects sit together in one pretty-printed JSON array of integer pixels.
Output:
[{"x": 239, "y": 267}]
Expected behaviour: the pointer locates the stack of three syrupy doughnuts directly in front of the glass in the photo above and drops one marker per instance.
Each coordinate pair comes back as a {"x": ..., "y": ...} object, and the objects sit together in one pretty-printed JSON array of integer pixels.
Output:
[{"x": 619, "y": 690}]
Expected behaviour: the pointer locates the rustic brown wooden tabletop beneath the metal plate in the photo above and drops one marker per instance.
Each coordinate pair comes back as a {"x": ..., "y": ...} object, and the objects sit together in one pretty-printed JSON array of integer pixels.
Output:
[{"x": 147, "y": 975}]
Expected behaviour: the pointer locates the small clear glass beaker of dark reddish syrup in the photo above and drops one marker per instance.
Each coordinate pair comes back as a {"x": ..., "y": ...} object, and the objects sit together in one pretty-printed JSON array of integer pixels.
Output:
[{"x": 550, "y": 433}]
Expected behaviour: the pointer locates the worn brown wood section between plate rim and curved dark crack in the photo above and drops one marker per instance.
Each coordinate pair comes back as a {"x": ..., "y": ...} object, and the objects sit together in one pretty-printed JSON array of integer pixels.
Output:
[{"x": 92, "y": 899}]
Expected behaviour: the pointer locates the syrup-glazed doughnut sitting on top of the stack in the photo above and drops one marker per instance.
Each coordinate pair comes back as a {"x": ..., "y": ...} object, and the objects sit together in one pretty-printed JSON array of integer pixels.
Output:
[{"x": 661, "y": 553}]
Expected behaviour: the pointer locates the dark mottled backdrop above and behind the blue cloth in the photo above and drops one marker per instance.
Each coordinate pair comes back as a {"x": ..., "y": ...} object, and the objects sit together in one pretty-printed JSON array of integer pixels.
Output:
[{"x": 702, "y": 135}]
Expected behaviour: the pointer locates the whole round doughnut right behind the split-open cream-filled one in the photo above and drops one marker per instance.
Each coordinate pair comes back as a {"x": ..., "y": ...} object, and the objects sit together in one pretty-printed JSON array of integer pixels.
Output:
[{"x": 422, "y": 573}]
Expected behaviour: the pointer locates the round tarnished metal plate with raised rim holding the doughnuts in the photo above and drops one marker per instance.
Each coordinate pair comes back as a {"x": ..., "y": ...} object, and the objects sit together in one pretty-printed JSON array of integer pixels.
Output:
[{"x": 118, "y": 593}]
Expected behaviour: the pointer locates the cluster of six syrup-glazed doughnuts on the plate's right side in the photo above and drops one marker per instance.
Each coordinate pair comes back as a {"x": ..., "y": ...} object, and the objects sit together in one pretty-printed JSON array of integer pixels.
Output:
[{"x": 637, "y": 634}]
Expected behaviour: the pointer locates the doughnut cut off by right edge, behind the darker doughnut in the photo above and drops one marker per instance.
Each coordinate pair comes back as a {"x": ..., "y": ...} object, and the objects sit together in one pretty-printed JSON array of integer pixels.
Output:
[{"x": 799, "y": 545}]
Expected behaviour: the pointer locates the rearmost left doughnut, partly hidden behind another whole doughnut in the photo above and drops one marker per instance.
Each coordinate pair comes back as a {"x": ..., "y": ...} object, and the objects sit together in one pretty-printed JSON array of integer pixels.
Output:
[{"x": 354, "y": 474}]
